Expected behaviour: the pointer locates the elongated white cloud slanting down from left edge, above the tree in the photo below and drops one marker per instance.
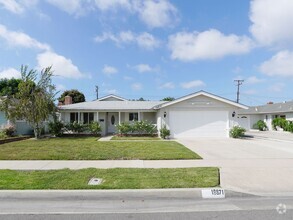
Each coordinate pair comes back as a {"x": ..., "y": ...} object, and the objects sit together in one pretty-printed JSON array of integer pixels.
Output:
[{"x": 20, "y": 39}]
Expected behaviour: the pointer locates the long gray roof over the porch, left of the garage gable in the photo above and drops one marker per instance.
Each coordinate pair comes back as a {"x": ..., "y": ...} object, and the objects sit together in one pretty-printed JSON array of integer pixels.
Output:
[{"x": 112, "y": 105}]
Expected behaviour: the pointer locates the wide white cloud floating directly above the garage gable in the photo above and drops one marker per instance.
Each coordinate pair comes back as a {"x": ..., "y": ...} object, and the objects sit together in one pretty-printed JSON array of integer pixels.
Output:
[{"x": 211, "y": 44}]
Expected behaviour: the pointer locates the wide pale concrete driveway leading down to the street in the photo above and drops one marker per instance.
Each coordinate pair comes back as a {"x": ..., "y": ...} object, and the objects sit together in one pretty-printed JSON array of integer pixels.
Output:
[{"x": 261, "y": 166}]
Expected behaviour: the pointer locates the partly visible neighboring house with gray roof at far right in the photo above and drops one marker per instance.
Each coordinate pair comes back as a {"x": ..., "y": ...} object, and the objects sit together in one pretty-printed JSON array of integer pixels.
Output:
[{"x": 247, "y": 118}]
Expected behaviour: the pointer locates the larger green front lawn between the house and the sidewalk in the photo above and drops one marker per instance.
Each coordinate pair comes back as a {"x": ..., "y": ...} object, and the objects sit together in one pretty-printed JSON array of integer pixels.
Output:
[{"x": 90, "y": 149}]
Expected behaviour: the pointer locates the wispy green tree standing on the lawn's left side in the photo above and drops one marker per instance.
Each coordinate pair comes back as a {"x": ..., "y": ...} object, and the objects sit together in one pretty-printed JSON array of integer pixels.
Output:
[{"x": 34, "y": 101}]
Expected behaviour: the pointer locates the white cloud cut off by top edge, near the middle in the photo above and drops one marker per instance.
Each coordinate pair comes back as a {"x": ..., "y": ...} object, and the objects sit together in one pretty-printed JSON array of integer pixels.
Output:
[{"x": 156, "y": 13}]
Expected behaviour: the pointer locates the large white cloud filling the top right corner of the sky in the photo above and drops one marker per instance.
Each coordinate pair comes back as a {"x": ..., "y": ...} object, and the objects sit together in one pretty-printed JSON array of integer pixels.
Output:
[{"x": 272, "y": 21}]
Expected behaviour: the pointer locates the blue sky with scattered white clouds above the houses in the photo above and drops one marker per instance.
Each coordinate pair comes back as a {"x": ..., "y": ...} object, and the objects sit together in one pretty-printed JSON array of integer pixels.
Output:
[{"x": 153, "y": 48}]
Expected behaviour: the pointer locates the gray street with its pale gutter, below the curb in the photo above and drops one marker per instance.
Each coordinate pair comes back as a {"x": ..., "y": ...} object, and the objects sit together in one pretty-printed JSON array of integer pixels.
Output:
[{"x": 113, "y": 206}]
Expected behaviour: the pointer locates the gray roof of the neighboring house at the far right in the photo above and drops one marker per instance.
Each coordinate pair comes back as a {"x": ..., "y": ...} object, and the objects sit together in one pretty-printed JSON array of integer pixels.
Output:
[{"x": 269, "y": 108}]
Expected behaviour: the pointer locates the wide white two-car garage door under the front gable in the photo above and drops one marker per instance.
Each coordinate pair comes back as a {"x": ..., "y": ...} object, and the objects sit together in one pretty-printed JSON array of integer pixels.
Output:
[{"x": 190, "y": 124}]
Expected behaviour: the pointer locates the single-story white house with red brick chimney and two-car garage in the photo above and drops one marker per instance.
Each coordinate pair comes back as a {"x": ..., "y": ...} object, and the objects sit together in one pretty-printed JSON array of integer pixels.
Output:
[{"x": 200, "y": 114}]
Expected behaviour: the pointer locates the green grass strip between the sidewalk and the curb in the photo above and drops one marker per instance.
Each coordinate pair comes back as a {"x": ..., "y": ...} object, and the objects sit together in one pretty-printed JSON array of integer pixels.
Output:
[{"x": 119, "y": 178}]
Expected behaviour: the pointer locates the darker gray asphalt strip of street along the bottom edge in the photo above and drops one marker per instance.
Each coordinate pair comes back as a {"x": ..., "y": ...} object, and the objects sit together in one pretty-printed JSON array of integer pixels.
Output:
[{"x": 225, "y": 215}]
